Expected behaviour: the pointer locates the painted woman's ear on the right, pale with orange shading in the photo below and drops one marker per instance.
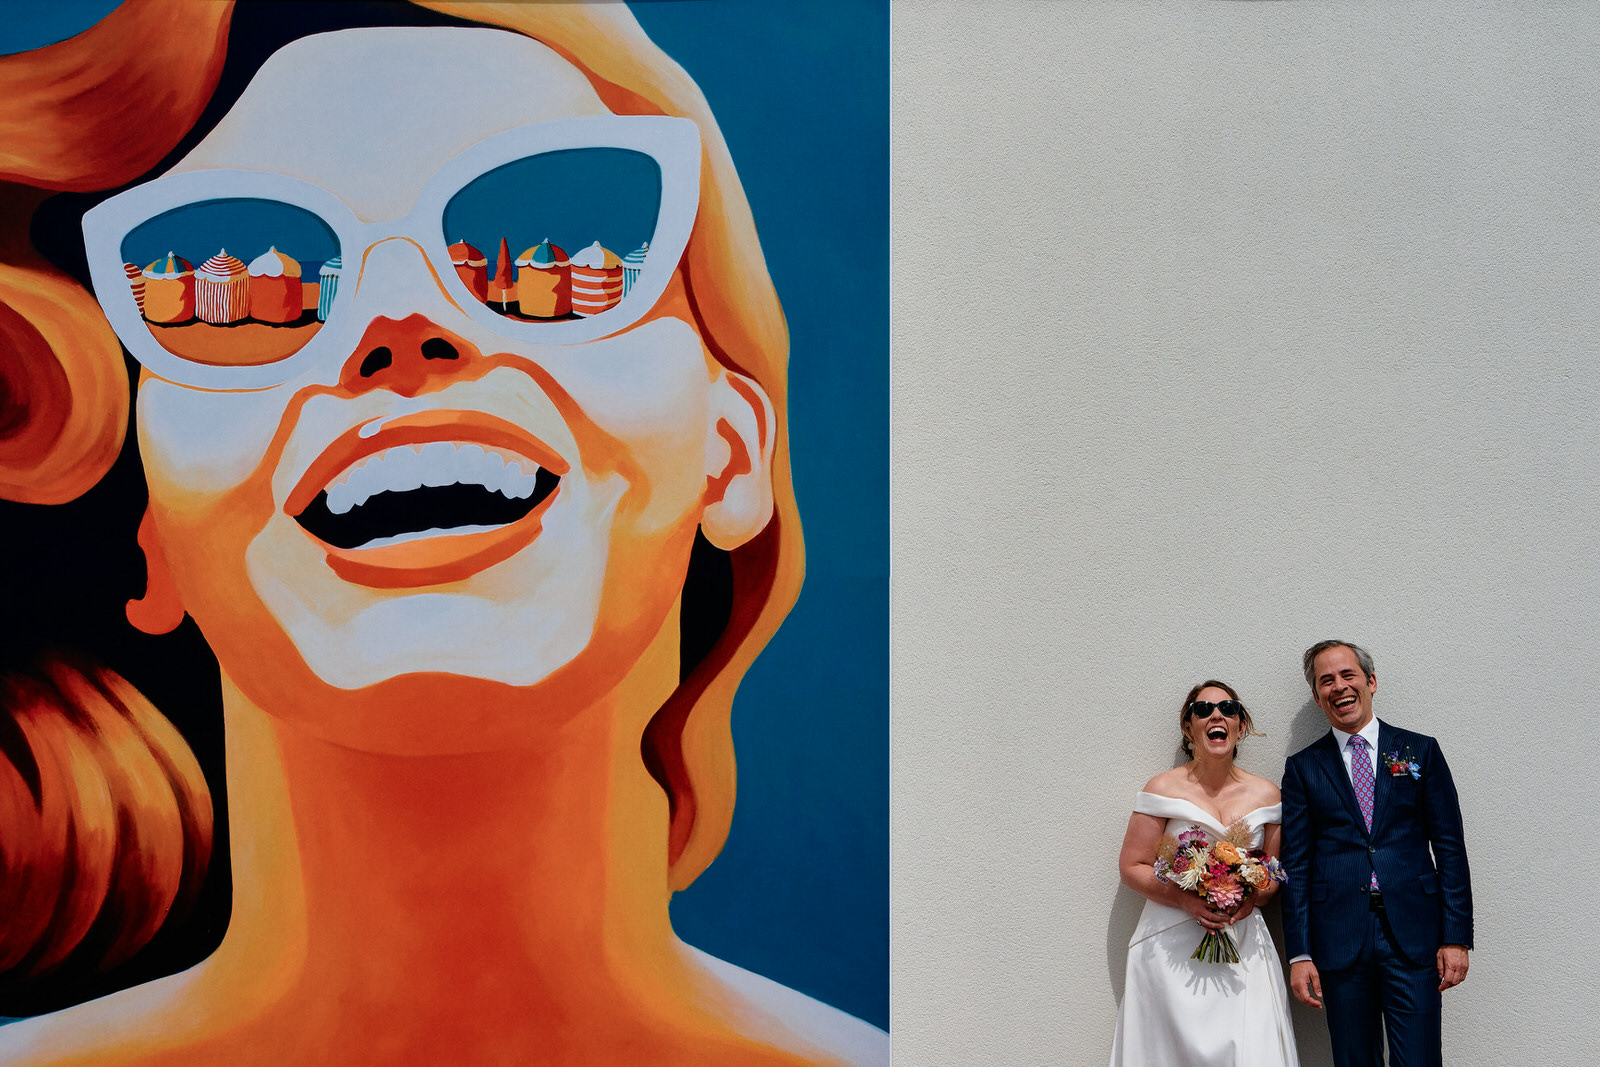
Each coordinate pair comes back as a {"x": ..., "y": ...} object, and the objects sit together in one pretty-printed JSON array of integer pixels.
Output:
[{"x": 740, "y": 462}]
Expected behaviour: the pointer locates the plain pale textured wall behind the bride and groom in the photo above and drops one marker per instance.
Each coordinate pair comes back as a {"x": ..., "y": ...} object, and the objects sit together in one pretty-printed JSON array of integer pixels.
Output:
[{"x": 1222, "y": 329}]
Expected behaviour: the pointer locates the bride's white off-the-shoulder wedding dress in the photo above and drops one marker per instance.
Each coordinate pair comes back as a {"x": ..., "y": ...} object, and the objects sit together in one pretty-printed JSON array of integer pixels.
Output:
[{"x": 1180, "y": 1012}]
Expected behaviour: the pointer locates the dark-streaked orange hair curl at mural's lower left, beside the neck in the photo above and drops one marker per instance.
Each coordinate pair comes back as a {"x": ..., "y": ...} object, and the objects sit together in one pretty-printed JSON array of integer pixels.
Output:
[{"x": 108, "y": 820}]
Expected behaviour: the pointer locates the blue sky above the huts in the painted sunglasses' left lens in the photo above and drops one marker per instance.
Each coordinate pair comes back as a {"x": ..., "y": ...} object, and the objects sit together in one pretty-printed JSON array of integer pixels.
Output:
[{"x": 244, "y": 226}]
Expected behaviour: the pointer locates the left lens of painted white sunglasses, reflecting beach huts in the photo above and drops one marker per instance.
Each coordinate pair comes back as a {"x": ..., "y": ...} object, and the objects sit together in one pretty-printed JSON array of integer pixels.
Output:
[{"x": 233, "y": 282}]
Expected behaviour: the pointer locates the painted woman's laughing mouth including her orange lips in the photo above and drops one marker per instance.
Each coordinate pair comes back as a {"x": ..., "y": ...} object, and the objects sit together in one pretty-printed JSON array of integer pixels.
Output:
[{"x": 426, "y": 498}]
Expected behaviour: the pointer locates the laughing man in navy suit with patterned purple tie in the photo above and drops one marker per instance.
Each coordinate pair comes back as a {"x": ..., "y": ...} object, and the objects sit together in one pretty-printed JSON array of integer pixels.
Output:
[{"x": 1372, "y": 927}]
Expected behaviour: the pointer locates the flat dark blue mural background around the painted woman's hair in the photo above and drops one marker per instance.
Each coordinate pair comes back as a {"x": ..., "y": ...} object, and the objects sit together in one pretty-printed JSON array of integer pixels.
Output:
[{"x": 801, "y": 90}]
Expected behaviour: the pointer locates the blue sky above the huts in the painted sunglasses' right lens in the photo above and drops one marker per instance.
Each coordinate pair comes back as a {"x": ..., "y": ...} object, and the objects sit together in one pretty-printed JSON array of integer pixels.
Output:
[{"x": 574, "y": 198}]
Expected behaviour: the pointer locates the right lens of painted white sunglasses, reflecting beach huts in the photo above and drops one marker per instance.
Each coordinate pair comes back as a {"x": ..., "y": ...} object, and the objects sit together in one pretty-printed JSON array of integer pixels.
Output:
[{"x": 556, "y": 236}]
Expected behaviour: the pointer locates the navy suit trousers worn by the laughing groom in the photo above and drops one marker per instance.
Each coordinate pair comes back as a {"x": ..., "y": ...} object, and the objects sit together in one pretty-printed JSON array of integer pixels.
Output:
[{"x": 1383, "y": 989}]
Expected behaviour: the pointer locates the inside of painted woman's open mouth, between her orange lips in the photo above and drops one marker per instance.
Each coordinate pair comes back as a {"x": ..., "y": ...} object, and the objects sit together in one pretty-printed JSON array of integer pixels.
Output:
[{"x": 420, "y": 490}]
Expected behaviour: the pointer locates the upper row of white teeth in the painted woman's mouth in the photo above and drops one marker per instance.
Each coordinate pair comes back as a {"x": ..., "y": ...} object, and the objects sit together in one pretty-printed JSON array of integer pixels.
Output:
[{"x": 433, "y": 465}]
